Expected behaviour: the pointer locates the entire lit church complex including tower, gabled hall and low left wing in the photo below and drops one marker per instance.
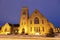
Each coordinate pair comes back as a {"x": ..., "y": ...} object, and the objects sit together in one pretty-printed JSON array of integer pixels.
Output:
[{"x": 35, "y": 24}]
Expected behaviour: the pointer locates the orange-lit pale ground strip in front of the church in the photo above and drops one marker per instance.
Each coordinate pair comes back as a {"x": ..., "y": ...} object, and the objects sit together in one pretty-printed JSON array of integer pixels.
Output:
[{"x": 28, "y": 37}]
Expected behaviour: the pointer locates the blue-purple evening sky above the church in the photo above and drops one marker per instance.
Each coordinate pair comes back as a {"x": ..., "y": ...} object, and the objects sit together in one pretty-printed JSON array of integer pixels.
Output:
[{"x": 10, "y": 10}]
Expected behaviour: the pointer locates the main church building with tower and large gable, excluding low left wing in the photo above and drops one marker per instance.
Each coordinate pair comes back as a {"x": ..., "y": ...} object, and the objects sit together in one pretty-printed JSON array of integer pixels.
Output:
[{"x": 36, "y": 24}]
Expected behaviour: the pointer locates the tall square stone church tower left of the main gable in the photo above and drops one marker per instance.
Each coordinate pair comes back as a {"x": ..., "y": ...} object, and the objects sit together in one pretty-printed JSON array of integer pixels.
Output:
[{"x": 23, "y": 20}]
